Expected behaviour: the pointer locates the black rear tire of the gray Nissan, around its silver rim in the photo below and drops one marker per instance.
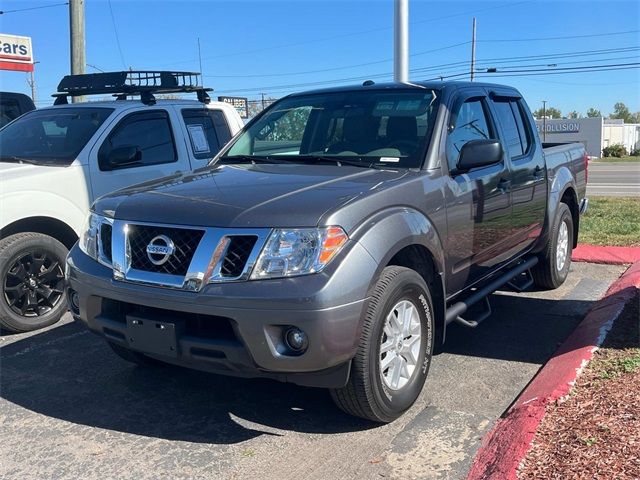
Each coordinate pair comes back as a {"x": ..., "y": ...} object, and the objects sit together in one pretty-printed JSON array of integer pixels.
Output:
[{"x": 546, "y": 274}]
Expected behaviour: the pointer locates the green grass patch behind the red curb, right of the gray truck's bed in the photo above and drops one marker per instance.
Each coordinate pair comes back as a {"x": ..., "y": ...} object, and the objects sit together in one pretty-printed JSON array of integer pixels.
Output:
[{"x": 611, "y": 221}]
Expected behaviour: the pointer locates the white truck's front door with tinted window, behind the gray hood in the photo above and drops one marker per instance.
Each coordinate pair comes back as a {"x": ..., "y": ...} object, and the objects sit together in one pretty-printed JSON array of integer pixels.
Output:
[{"x": 152, "y": 133}]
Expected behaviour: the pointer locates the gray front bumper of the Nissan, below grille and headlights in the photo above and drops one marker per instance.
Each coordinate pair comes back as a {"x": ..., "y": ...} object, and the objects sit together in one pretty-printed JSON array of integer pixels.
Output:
[{"x": 237, "y": 328}]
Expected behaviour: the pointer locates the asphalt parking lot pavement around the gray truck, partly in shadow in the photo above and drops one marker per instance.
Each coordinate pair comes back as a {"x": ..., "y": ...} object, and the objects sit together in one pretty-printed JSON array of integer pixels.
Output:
[{"x": 71, "y": 409}]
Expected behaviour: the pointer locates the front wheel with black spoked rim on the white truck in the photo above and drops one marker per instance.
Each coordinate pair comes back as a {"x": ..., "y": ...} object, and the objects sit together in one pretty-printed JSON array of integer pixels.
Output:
[{"x": 32, "y": 293}]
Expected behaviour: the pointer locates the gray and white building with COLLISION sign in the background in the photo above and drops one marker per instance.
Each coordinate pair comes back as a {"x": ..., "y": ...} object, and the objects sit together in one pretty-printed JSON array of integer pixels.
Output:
[{"x": 595, "y": 133}]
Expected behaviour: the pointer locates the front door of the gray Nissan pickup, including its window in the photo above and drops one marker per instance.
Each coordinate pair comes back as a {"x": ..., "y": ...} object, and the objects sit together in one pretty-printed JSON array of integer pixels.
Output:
[{"x": 478, "y": 200}]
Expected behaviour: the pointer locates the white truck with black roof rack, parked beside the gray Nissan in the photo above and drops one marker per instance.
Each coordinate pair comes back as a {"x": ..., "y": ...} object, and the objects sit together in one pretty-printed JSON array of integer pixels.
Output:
[{"x": 55, "y": 161}]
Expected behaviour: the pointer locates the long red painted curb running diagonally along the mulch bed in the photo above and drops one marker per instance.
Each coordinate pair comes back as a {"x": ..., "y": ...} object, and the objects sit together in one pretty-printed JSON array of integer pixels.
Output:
[{"x": 505, "y": 446}]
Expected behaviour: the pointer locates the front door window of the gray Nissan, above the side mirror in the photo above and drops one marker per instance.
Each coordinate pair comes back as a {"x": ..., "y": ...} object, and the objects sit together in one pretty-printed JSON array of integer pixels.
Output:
[{"x": 471, "y": 124}]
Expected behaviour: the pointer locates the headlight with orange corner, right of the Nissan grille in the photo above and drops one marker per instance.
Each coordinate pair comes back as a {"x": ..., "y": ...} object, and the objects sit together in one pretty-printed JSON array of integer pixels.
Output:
[{"x": 290, "y": 252}]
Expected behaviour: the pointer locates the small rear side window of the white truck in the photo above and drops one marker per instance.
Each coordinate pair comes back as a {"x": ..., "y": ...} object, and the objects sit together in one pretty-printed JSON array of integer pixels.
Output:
[{"x": 207, "y": 129}]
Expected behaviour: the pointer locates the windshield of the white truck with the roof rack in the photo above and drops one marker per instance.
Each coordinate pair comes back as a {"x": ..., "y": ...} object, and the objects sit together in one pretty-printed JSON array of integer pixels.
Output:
[{"x": 50, "y": 136}]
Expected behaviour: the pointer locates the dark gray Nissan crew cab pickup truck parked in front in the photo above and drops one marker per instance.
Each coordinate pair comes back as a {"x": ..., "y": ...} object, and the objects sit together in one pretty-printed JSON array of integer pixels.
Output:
[{"x": 332, "y": 241}]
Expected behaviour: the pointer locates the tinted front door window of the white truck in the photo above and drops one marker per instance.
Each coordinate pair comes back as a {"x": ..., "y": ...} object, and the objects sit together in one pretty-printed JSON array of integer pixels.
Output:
[{"x": 150, "y": 132}]
